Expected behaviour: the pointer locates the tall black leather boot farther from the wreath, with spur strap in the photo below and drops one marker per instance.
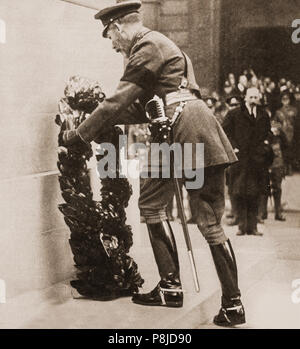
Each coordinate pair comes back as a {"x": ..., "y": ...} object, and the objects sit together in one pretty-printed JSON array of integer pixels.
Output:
[{"x": 232, "y": 311}]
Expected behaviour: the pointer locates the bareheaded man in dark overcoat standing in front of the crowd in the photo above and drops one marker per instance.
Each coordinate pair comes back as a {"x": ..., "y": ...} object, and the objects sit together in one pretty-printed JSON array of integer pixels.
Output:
[{"x": 248, "y": 129}]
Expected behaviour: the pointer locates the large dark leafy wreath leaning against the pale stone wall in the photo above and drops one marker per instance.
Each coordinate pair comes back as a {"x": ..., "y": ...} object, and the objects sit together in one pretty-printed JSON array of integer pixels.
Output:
[{"x": 100, "y": 239}]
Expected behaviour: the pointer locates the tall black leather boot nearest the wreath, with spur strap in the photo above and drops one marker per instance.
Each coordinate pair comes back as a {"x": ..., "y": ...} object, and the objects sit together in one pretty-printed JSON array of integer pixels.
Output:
[{"x": 168, "y": 292}]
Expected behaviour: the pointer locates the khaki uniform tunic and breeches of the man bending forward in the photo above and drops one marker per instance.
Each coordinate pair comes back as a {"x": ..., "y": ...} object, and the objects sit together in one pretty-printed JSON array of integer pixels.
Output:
[{"x": 156, "y": 66}]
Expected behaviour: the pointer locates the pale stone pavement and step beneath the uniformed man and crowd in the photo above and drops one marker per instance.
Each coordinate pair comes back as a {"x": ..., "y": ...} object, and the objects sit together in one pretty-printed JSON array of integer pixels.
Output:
[{"x": 268, "y": 266}]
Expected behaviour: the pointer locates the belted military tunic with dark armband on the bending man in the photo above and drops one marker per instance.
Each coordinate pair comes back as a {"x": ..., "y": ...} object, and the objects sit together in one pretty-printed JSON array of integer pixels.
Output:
[{"x": 156, "y": 67}]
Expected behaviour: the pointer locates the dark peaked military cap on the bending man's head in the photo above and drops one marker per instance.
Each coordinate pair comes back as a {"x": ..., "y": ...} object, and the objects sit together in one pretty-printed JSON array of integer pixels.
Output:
[{"x": 120, "y": 9}]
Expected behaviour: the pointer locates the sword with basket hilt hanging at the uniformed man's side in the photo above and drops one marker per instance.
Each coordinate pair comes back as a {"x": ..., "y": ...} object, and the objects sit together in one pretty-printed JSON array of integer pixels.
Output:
[{"x": 156, "y": 115}]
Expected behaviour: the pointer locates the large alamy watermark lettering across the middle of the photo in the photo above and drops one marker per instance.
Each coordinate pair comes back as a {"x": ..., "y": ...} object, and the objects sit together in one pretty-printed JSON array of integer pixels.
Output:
[{"x": 188, "y": 161}]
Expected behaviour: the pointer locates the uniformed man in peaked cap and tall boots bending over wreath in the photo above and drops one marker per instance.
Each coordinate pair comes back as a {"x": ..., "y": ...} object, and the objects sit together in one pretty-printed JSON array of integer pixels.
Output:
[{"x": 156, "y": 66}]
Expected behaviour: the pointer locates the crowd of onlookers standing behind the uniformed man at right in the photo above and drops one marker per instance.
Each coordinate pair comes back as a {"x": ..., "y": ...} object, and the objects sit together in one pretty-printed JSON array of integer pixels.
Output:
[{"x": 261, "y": 118}]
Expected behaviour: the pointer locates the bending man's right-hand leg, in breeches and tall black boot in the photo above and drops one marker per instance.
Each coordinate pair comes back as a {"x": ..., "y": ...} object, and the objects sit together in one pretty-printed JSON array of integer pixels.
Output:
[{"x": 211, "y": 206}]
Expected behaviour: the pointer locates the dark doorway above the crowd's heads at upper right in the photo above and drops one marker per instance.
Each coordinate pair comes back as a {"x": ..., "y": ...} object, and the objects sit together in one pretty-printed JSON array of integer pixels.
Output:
[{"x": 269, "y": 50}]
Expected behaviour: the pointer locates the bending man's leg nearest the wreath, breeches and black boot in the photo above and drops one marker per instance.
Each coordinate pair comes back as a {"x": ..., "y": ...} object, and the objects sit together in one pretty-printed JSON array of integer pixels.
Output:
[{"x": 155, "y": 194}]
